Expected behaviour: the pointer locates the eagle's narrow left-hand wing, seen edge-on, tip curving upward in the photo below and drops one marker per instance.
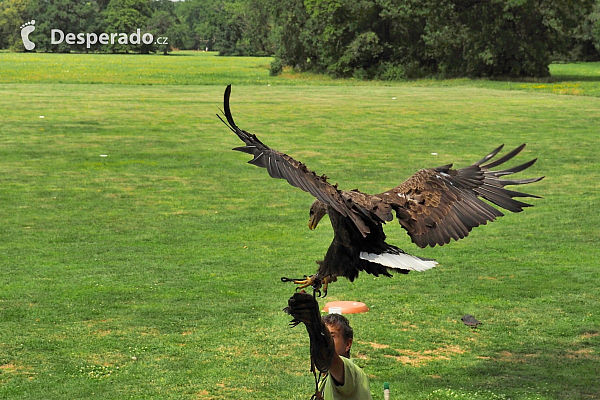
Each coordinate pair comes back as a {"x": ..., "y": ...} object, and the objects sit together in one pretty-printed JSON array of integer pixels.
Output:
[{"x": 282, "y": 166}]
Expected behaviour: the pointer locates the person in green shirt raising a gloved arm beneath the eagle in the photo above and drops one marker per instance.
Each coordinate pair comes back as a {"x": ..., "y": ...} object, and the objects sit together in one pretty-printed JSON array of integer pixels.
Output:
[{"x": 331, "y": 340}]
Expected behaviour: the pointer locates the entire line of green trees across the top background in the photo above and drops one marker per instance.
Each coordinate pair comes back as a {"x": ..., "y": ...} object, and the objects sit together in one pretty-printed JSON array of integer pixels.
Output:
[{"x": 365, "y": 39}]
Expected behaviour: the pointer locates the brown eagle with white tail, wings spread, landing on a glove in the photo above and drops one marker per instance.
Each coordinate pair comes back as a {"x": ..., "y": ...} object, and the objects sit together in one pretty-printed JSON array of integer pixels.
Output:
[{"x": 434, "y": 206}]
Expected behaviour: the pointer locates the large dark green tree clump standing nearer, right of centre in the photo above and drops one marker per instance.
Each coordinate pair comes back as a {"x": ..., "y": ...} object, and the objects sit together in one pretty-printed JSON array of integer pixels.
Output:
[{"x": 411, "y": 38}]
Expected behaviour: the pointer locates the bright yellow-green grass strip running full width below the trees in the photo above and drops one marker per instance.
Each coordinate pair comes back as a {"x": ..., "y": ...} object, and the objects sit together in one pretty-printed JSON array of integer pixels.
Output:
[{"x": 202, "y": 68}]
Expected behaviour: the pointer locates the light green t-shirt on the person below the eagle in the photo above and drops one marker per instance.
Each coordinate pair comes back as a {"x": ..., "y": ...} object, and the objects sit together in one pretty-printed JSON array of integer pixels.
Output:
[{"x": 355, "y": 387}]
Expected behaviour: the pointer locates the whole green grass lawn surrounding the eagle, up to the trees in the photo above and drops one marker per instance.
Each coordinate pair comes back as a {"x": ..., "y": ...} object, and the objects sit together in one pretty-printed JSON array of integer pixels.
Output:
[{"x": 141, "y": 257}]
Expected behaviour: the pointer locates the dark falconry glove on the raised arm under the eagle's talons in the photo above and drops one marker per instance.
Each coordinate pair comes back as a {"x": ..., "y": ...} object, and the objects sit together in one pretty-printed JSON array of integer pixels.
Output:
[{"x": 305, "y": 309}]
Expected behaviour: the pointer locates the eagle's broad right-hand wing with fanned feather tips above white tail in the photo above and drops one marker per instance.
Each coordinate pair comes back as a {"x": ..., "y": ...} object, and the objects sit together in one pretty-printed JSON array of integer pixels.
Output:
[{"x": 439, "y": 204}]
